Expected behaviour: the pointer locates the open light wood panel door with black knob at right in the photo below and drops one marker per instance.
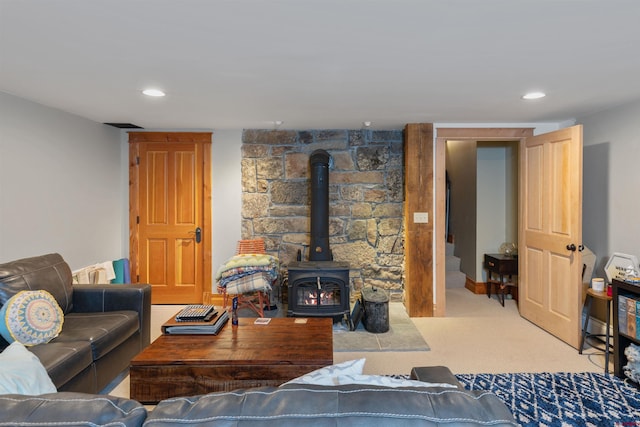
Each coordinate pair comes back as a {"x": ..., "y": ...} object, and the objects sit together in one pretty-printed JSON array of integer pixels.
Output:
[{"x": 550, "y": 283}]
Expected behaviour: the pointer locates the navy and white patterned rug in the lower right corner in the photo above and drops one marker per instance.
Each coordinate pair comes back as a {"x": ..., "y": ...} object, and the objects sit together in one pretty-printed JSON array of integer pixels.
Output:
[{"x": 562, "y": 399}]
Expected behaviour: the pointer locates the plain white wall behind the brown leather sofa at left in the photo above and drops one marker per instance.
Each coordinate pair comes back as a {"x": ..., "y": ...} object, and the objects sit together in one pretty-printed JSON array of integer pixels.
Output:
[{"x": 59, "y": 185}]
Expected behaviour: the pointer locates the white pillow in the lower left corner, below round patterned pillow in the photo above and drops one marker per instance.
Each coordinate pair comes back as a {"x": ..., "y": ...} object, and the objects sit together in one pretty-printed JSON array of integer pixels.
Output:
[{"x": 21, "y": 372}]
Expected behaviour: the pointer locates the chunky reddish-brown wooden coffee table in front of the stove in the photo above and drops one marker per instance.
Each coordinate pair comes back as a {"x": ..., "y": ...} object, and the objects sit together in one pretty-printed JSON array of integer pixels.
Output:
[{"x": 242, "y": 356}]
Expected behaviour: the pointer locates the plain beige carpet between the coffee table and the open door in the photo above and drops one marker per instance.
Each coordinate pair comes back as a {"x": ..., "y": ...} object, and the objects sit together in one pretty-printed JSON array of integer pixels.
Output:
[{"x": 477, "y": 335}]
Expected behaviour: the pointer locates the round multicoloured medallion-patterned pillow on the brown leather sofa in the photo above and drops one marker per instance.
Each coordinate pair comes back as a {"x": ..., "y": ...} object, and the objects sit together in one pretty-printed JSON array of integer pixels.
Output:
[{"x": 31, "y": 317}]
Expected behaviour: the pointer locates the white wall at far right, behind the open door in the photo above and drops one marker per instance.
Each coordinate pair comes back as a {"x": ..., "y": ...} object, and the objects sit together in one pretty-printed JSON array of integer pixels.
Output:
[{"x": 611, "y": 182}]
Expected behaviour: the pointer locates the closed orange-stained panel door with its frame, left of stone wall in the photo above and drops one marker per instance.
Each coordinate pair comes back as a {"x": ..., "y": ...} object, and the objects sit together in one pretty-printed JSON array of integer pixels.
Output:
[{"x": 170, "y": 240}]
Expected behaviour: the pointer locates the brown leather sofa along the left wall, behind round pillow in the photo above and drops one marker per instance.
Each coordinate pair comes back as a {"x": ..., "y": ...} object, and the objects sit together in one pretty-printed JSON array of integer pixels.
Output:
[{"x": 104, "y": 327}]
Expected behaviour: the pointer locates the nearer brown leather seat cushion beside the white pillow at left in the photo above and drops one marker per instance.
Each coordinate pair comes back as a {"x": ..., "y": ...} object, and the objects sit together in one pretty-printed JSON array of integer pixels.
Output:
[{"x": 64, "y": 360}]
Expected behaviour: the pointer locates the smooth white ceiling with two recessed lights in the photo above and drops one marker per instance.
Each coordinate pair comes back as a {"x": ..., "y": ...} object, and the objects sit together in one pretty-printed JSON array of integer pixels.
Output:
[{"x": 321, "y": 63}]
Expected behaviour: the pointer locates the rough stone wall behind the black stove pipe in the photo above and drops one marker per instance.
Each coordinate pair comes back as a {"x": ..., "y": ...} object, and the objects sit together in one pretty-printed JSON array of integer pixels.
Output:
[{"x": 365, "y": 195}]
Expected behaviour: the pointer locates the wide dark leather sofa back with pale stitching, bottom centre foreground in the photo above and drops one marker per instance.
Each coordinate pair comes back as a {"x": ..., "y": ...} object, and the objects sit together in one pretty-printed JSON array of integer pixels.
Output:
[{"x": 341, "y": 406}]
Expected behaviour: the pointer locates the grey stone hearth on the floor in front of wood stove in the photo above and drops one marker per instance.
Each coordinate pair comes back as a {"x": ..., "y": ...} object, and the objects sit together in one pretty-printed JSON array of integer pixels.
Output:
[{"x": 402, "y": 335}]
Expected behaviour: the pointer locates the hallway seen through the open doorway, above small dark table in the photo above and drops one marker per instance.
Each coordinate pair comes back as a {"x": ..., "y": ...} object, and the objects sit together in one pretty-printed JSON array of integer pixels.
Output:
[{"x": 482, "y": 207}]
